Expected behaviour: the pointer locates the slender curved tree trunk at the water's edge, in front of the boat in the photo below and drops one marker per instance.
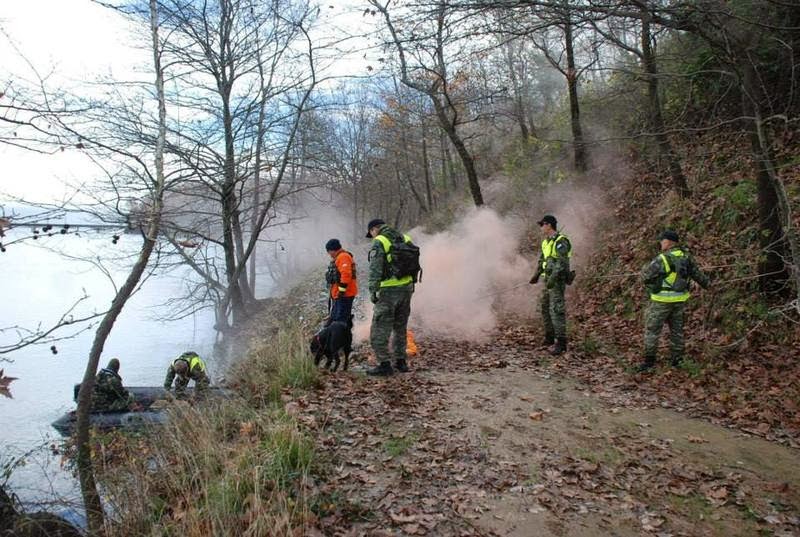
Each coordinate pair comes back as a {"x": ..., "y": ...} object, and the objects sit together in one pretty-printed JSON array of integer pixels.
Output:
[{"x": 91, "y": 497}]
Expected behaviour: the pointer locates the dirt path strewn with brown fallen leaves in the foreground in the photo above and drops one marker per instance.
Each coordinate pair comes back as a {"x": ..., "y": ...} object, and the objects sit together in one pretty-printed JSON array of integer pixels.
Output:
[{"x": 492, "y": 440}]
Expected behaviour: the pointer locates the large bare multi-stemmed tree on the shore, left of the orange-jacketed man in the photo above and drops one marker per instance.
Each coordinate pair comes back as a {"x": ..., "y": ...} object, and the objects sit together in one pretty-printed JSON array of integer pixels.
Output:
[{"x": 248, "y": 85}]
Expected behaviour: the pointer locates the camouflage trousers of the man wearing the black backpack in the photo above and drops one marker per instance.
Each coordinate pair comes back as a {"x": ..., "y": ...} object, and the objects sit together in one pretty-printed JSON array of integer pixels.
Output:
[{"x": 390, "y": 316}]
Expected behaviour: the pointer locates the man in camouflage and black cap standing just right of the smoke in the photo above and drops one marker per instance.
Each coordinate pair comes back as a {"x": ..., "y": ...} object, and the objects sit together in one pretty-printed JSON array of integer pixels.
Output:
[{"x": 554, "y": 264}]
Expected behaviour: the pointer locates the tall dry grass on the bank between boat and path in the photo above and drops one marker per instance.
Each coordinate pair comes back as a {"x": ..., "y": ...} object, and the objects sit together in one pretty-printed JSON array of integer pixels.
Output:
[{"x": 224, "y": 467}]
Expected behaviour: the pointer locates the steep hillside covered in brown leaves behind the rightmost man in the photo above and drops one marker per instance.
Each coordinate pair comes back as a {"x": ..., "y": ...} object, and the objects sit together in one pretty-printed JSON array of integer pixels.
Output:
[{"x": 743, "y": 358}]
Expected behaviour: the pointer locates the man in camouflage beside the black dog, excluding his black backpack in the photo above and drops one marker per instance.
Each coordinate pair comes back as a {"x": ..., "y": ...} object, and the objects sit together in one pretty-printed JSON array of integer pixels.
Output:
[{"x": 392, "y": 299}]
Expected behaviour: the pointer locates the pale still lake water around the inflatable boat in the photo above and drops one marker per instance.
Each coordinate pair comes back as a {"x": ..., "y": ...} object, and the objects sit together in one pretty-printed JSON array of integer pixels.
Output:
[{"x": 37, "y": 287}]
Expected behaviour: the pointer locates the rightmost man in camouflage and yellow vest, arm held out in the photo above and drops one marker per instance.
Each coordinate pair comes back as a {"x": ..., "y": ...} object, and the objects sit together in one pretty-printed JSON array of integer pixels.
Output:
[{"x": 667, "y": 279}]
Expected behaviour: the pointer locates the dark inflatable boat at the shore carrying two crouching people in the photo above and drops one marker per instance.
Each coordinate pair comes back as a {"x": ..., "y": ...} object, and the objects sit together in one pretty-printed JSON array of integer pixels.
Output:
[{"x": 144, "y": 396}]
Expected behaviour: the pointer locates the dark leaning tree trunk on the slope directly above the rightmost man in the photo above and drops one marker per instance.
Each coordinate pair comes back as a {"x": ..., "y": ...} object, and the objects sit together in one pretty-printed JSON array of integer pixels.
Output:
[{"x": 665, "y": 150}]
